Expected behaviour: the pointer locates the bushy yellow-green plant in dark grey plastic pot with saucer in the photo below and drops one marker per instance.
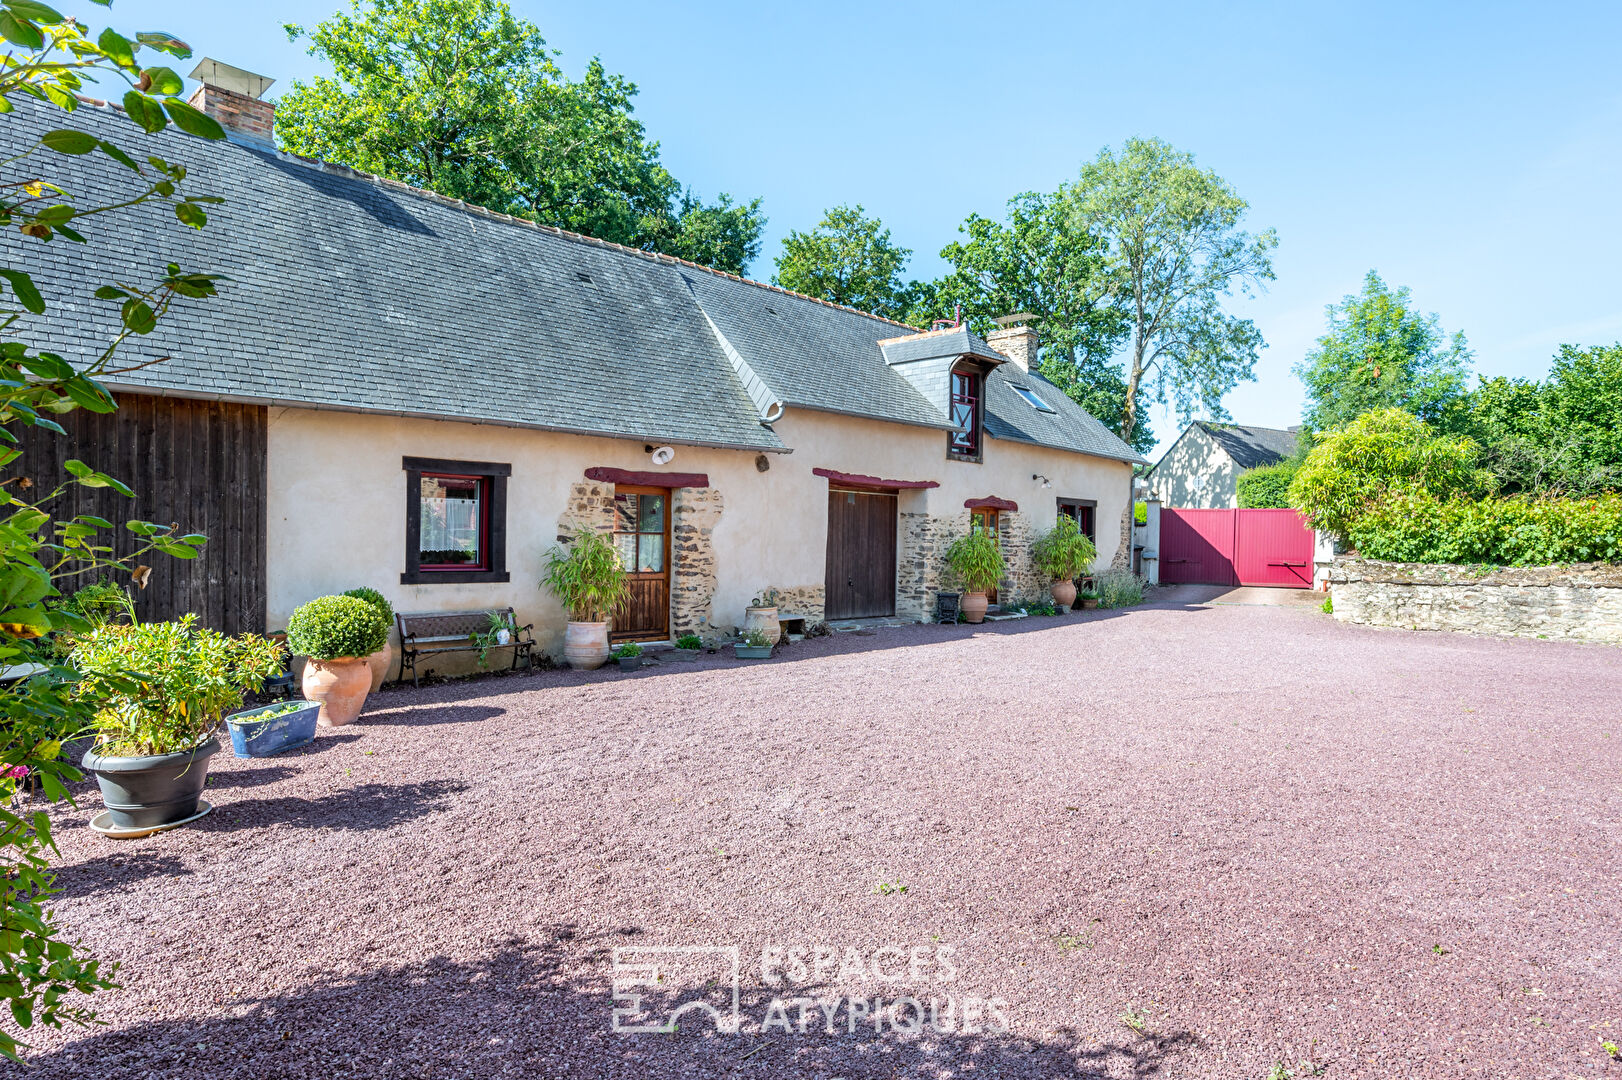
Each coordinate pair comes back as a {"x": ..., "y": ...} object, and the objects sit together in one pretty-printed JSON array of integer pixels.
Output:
[{"x": 160, "y": 692}]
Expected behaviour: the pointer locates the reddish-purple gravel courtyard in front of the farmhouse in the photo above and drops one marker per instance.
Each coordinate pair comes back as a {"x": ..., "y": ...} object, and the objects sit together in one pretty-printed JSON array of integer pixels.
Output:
[{"x": 1177, "y": 841}]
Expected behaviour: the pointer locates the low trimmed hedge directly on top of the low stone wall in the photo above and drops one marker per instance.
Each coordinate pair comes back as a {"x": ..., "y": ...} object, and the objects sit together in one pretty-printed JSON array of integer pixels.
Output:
[{"x": 1418, "y": 528}]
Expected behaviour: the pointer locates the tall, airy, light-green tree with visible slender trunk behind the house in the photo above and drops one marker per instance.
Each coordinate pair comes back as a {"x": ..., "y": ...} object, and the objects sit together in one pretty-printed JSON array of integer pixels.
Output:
[{"x": 1175, "y": 252}]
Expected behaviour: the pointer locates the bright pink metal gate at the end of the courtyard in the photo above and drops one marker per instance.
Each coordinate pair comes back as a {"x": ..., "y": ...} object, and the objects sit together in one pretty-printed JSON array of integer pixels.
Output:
[{"x": 1235, "y": 547}]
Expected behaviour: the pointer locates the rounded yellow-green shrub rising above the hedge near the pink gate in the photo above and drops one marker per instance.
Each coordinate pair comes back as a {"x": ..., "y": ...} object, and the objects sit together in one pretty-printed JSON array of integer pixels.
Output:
[{"x": 1383, "y": 452}]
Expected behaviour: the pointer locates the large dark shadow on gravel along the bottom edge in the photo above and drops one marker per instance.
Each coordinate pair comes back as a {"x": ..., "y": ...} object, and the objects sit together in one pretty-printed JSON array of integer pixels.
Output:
[{"x": 528, "y": 1011}]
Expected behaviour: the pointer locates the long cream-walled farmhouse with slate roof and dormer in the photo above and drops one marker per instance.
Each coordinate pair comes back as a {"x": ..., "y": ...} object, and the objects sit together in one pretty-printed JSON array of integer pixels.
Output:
[{"x": 403, "y": 392}]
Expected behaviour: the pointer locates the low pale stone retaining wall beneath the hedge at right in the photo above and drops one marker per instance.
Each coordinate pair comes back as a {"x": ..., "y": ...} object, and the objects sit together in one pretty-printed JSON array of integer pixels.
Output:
[{"x": 1573, "y": 602}]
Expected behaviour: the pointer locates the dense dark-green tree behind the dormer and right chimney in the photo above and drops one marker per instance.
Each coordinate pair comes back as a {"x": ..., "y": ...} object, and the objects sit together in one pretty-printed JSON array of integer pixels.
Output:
[{"x": 1037, "y": 262}]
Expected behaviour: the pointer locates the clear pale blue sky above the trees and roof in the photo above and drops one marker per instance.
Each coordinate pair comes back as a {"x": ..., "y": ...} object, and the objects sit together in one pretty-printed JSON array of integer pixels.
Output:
[{"x": 1472, "y": 152}]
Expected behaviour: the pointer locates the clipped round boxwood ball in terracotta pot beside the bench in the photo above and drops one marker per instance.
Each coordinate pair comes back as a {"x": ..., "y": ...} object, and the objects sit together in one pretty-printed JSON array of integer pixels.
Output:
[{"x": 337, "y": 635}]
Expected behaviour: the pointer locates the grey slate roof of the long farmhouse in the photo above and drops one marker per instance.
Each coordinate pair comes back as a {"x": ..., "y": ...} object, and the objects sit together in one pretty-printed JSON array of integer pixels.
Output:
[{"x": 363, "y": 294}]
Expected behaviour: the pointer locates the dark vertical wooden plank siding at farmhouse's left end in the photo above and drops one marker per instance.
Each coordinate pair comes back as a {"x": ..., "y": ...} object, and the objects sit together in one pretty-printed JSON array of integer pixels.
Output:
[{"x": 199, "y": 465}]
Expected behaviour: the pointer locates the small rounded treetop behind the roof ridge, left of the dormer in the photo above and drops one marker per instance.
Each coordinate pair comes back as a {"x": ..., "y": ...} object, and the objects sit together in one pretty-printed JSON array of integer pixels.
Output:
[{"x": 849, "y": 259}]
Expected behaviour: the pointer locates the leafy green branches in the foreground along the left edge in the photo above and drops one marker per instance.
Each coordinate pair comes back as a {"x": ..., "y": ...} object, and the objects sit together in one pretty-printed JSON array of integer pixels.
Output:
[{"x": 49, "y": 61}]
